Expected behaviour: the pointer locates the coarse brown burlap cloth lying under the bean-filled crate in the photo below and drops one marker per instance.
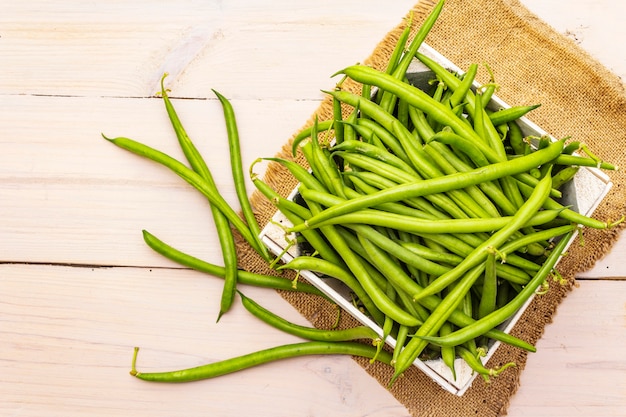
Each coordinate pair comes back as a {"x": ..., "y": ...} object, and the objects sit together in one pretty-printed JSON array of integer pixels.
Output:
[{"x": 579, "y": 98}]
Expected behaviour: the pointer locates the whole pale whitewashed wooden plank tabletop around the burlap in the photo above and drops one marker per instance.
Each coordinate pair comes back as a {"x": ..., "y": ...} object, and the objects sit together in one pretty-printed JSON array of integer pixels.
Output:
[{"x": 78, "y": 287}]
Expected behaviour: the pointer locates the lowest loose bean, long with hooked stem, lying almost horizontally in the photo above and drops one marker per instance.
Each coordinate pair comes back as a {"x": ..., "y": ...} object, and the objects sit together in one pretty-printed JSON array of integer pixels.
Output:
[{"x": 249, "y": 360}]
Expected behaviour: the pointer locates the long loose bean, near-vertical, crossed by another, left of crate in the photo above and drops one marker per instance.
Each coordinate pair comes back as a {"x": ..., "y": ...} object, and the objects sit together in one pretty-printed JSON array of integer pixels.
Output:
[{"x": 222, "y": 225}]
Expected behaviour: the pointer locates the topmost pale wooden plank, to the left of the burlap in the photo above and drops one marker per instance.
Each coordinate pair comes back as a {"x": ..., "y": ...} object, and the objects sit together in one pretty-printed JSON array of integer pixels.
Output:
[{"x": 122, "y": 48}]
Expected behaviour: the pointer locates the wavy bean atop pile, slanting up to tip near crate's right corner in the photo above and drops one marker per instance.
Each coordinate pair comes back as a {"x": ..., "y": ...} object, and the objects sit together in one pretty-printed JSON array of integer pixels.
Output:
[{"x": 527, "y": 211}]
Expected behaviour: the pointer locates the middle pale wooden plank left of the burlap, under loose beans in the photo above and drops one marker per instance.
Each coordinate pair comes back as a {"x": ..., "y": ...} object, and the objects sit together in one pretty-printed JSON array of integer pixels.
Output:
[{"x": 69, "y": 196}]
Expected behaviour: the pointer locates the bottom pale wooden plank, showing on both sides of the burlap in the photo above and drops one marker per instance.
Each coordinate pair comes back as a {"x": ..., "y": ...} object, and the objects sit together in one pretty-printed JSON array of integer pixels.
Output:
[{"x": 70, "y": 334}]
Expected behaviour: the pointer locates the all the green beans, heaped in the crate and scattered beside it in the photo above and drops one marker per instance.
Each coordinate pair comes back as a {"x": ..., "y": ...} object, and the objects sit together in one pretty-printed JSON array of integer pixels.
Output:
[{"x": 436, "y": 212}]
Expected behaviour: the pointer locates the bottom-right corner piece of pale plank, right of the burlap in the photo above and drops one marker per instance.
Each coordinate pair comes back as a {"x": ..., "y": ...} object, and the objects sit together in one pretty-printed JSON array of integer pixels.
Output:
[{"x": 579, "y": 368}]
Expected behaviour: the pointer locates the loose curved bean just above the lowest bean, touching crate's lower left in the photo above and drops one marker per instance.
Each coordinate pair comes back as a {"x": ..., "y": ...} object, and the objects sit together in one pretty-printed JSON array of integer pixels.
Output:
[{"x": 305, "y": 332}]
